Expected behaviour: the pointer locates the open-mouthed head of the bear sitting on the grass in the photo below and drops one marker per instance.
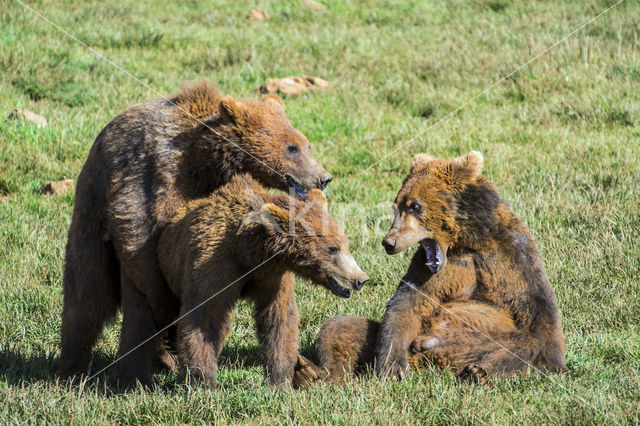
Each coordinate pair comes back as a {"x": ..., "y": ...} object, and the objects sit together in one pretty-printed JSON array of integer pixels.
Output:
[{"x": 429, "y": 205}]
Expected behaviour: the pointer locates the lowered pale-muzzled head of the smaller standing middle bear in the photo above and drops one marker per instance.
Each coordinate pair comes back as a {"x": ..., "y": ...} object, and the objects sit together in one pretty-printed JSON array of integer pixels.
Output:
[{"x": 310, "y": 241}]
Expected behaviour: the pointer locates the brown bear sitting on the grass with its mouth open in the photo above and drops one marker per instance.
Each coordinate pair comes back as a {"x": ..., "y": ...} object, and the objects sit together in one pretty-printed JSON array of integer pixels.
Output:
[{"x": 476, "y": 296}]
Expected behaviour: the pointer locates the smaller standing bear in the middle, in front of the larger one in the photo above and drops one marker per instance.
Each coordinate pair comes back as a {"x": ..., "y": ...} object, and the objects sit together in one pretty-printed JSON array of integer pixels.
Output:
[{"x": 244, "y": 243}]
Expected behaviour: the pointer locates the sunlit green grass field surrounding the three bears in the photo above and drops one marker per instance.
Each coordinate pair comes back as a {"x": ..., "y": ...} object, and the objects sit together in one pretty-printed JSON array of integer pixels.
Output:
[{"x": 561, "y": 139}]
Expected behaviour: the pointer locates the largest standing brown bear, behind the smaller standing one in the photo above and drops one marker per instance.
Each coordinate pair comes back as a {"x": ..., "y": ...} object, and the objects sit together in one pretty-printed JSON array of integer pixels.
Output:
[{"x": 145, "y": 164}]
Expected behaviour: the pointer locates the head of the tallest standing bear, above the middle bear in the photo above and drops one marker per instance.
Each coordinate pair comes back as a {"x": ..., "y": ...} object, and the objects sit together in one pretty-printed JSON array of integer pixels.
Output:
[{"x": 278, "y": 155}]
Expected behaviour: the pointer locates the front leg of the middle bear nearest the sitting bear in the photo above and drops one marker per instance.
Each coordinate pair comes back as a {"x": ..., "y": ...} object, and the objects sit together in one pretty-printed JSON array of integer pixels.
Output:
[{"x": 277, "y": 320}]
